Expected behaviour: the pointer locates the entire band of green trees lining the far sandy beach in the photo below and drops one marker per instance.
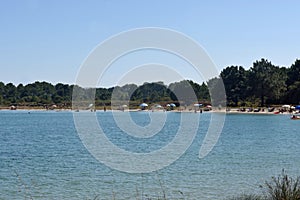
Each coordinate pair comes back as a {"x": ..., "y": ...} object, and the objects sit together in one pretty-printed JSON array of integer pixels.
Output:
[{"x": 263, "y": 84}]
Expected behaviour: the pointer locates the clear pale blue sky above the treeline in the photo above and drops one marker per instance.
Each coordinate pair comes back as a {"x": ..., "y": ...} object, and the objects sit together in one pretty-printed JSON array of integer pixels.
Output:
[{"x": 50, "y": 40}]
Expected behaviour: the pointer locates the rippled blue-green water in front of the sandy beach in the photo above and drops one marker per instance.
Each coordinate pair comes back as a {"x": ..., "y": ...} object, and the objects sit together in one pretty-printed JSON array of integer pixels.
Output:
[{"x": 42, "y": 157}]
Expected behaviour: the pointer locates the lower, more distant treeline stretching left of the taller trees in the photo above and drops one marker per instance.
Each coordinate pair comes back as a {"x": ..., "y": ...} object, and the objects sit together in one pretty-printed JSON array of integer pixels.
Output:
[{"x": 45, "y": 94}]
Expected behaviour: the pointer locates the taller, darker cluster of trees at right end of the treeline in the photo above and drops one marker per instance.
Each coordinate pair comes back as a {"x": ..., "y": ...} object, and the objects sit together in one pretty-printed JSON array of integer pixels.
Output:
[{"x": 262, "y": 85}]
